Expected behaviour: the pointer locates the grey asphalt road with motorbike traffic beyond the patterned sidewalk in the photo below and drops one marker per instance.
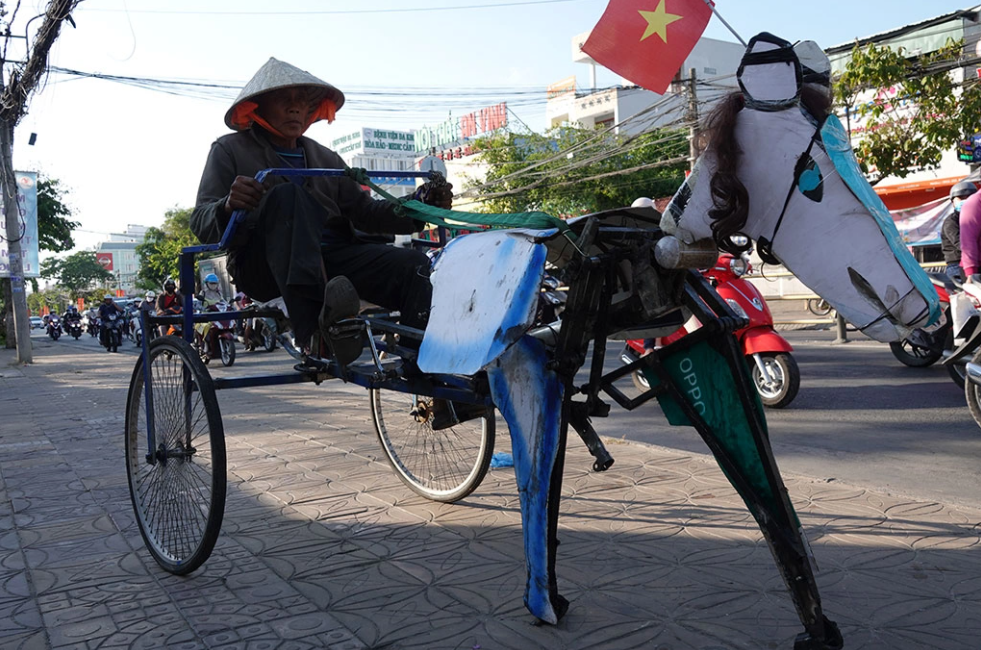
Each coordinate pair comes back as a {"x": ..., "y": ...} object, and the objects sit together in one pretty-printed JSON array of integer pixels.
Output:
[{"x": 860, "y": 418}]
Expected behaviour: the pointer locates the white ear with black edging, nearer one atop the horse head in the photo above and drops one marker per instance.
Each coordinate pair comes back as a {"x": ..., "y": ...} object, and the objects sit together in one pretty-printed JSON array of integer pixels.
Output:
[{"x": 770, "y": 74}]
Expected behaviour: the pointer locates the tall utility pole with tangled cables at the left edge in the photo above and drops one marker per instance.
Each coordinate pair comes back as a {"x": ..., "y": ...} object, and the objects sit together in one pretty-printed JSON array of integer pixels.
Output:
[{"x": 13, "y": 104}]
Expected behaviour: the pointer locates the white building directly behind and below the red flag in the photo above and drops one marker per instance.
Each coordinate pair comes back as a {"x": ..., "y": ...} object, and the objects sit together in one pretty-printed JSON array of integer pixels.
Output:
[{"x": 714, "y": 63}]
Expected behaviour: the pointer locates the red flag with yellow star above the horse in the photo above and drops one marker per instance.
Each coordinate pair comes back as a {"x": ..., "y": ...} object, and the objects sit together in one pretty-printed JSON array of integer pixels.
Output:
[{"x": 647, "y": 41}]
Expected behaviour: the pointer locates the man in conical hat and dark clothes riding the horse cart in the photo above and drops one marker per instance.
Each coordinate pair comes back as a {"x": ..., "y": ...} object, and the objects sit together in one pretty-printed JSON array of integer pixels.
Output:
[{"x": 304, "y": 237}]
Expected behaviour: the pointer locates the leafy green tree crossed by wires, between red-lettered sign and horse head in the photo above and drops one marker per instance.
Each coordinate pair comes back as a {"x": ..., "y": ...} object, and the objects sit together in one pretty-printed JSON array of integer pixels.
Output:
[{"x": 571, "y": 171}]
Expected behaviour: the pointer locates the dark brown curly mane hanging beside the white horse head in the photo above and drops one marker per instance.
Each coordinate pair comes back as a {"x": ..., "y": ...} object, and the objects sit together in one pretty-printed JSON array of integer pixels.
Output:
[{"x": 730, "y": 199}]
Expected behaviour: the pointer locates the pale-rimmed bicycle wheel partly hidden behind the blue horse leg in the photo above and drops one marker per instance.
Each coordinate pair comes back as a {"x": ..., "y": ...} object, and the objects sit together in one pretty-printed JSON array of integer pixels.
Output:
[{"x": 444, "y": 465}]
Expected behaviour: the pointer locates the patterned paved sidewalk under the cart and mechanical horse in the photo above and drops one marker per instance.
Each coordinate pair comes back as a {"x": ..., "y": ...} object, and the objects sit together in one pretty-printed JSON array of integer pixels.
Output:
[{"x": 322, "y": 546}]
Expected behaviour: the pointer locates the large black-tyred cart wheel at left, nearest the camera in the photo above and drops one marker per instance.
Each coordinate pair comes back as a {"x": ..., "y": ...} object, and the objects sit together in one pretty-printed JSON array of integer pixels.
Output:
[{"x": 177, "y": 488}]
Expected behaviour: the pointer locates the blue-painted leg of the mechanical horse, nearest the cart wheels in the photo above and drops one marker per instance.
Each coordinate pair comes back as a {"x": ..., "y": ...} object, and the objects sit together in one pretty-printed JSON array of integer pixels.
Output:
[{"x": 529, "y": 396}]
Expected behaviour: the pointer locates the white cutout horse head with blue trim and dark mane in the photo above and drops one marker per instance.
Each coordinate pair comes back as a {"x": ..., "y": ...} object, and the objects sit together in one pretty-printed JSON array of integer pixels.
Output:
[{"x": 779, "y": 169}]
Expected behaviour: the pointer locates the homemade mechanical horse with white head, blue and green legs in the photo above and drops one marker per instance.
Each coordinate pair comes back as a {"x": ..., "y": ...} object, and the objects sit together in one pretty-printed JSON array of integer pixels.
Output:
[{"x": 778, "y": 172}]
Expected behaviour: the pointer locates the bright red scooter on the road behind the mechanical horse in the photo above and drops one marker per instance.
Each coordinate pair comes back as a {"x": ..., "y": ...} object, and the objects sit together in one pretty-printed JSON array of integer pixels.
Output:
[{"x": 774, "y": 370}]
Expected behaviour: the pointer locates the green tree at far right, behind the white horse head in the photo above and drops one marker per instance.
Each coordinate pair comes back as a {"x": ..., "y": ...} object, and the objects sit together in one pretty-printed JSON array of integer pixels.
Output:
[{"x": 909, "y": 107}]
